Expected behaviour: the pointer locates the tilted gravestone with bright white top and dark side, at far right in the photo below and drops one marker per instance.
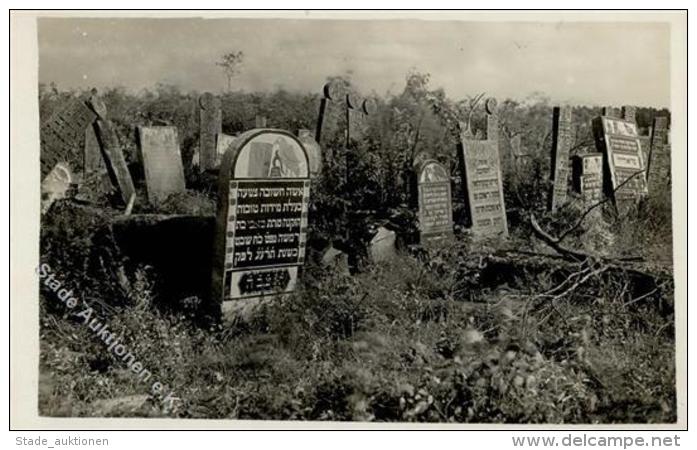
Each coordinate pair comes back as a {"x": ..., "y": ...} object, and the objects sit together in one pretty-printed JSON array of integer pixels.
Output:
[{"x": 618, "y": 140}]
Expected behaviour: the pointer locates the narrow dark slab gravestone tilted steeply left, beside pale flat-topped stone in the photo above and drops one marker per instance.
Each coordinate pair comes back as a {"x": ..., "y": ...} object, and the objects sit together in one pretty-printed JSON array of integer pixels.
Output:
[{"x": 113, "y": 156}]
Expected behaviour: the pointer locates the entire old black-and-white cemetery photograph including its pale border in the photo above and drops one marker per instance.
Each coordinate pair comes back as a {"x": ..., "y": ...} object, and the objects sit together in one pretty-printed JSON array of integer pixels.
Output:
[{"x": 360, "y": 218}]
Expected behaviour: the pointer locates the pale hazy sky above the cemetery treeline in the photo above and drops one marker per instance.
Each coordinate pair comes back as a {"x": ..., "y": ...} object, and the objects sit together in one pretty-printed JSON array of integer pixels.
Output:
[{"x": 600, "y": 63}]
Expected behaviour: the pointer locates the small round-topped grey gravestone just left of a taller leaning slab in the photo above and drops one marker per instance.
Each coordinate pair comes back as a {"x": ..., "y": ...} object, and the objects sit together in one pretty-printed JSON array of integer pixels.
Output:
[{"x": 435, "y": 203}]
